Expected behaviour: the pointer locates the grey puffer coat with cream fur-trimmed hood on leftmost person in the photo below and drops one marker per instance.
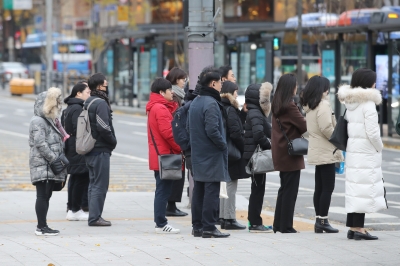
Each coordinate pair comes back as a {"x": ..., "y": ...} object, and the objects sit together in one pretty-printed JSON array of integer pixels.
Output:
[{"x": 45, "y": 140}]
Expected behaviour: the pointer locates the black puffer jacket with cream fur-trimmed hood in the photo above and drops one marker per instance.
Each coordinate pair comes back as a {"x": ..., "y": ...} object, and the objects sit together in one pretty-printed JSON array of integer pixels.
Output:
[{"x": 257, "y": 127}]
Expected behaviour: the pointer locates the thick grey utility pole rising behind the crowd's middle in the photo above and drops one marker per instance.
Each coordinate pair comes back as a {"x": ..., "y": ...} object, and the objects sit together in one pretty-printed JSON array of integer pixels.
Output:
[{"x": 200, "y": 34}]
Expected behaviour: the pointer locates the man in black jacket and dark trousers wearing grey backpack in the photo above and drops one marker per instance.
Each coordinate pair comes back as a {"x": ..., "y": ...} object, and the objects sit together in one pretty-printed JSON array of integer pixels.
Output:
[{"x": 98, "y": 158}]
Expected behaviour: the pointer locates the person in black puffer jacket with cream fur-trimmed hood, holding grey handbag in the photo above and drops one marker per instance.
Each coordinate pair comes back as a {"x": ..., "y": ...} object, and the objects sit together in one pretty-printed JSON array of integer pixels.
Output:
[{"x": 257, "y": 132}]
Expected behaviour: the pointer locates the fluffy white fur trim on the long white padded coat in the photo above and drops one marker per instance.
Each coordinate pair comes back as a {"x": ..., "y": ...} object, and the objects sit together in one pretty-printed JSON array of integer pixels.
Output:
[{"x": 352, "y": 97}]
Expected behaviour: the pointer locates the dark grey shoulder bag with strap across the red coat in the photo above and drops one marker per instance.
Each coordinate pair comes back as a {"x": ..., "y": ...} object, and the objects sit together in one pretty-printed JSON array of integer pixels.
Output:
[{"x": 170, "y": 165}]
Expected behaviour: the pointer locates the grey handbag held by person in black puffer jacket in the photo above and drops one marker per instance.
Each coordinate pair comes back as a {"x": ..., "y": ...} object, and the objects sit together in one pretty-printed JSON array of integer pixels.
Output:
[{"x": 260, "y": 162}]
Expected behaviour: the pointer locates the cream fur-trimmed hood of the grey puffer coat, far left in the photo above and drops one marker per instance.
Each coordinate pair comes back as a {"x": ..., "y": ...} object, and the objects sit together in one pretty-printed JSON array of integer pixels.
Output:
[{"x": 48, "y": 104}]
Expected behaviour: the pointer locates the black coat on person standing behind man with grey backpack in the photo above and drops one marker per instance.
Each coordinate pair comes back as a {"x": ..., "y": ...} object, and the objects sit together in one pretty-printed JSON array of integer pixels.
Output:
[{"x": 69, "y": 119}]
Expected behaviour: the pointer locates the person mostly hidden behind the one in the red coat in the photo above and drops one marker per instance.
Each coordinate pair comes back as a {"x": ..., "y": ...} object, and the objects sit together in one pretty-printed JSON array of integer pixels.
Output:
[{"x": 177, "y": 77}]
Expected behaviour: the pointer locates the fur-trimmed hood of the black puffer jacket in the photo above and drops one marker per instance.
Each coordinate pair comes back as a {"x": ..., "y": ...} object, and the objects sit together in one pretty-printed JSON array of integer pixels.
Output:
[{"x": 260, "y": 96}]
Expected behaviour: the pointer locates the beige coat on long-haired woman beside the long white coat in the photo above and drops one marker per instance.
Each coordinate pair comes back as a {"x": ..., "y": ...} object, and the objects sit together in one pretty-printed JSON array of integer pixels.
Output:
[{"x": 320, "y": 125}]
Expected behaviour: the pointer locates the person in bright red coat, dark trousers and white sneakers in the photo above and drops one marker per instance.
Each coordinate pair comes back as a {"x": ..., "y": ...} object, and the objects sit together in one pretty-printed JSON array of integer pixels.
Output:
[{"x": 159, "y": 110}]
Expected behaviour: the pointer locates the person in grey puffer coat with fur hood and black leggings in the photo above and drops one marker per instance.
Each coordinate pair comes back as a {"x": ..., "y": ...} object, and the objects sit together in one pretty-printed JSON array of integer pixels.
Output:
[{"x": 46, "y": 146}]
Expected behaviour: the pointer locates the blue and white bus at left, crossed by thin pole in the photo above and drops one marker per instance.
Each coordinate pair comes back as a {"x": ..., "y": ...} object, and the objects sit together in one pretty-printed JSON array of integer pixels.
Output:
[{"x": 69, "y": 55}]
